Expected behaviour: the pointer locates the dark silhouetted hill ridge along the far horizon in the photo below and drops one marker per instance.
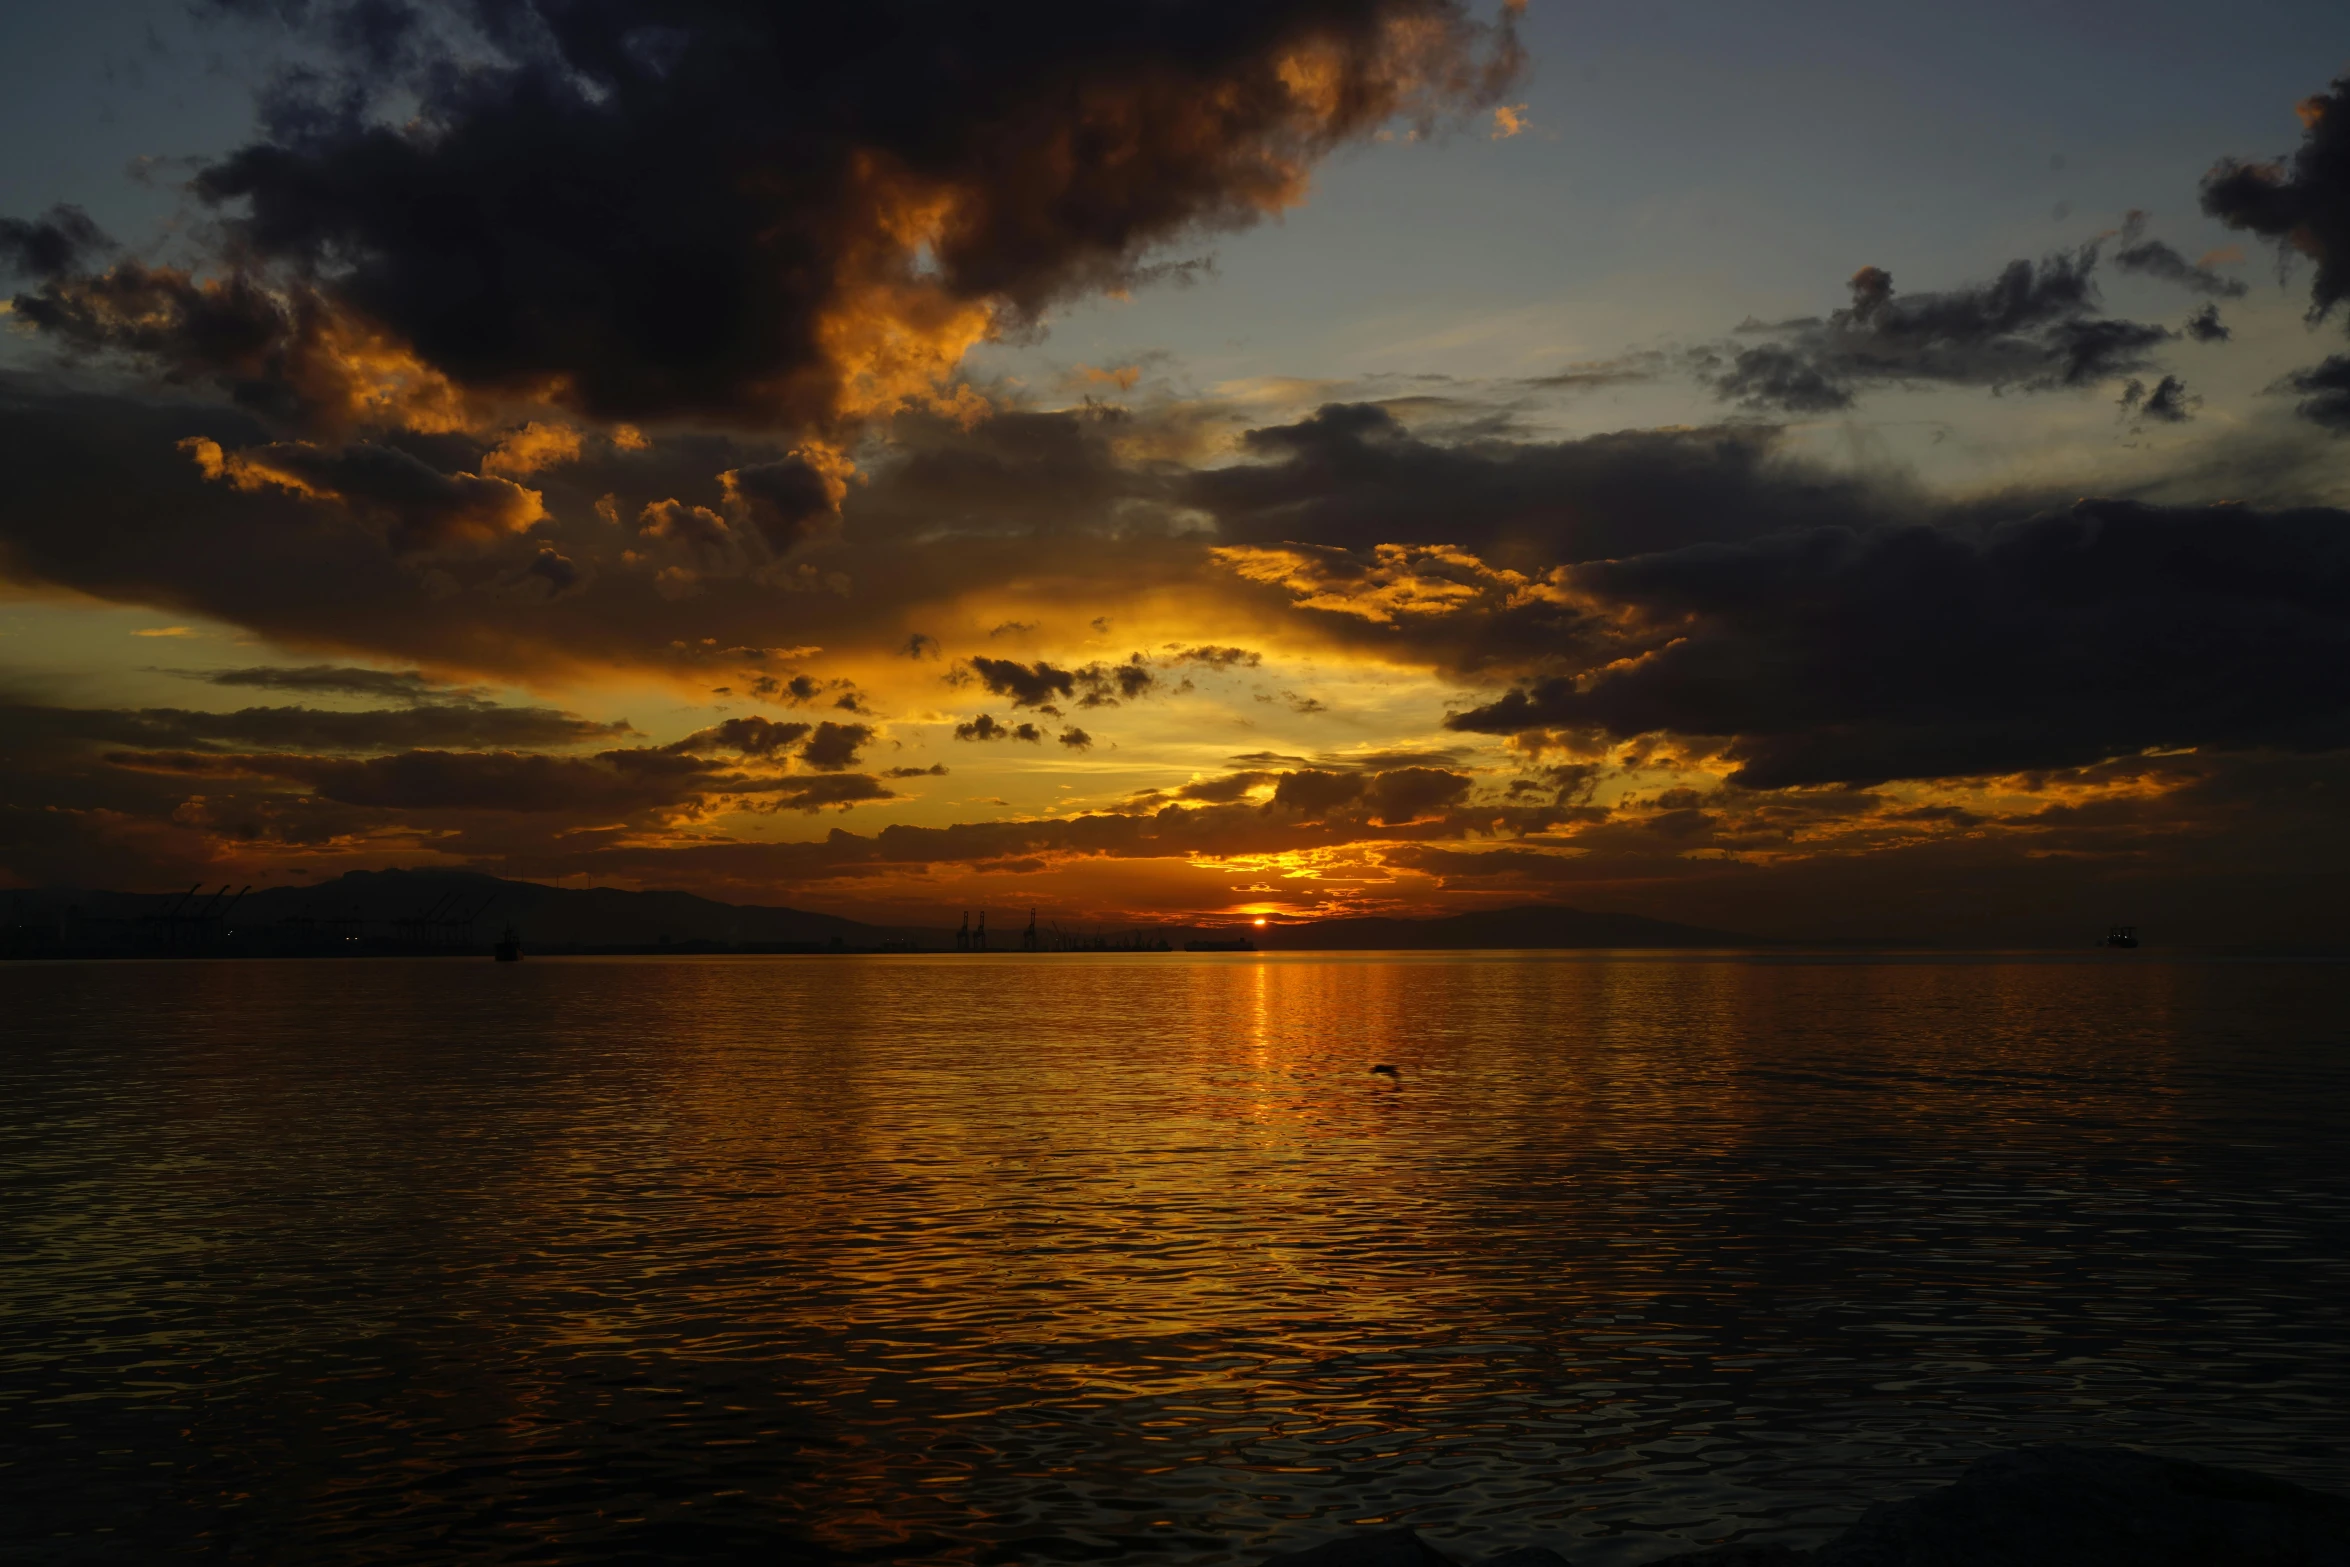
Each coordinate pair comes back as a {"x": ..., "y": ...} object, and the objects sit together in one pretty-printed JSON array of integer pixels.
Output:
[{"x": 558, "y": 917}]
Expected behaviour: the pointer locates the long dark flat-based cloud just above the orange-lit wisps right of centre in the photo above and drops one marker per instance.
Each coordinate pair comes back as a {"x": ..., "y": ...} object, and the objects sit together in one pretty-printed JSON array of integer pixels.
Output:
[{"x": 1352, "y": 476}]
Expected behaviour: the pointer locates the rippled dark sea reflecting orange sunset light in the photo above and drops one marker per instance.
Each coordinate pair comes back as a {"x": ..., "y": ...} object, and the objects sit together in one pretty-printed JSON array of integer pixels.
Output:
[{"x": 1028, "y": 1260}]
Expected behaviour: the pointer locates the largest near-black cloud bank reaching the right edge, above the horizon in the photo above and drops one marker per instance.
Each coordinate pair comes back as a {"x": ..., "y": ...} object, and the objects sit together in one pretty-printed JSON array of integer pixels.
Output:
[{"x": 1834, "y": 657}]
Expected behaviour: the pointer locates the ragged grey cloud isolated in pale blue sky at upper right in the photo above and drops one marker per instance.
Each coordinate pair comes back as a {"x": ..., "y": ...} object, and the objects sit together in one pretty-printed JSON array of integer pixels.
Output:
[{"x": 2034, "y": 328}]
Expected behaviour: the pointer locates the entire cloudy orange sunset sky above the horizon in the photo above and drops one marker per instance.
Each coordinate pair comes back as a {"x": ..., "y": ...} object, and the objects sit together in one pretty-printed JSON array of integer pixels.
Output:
[{"x": 1799, "y": 469}]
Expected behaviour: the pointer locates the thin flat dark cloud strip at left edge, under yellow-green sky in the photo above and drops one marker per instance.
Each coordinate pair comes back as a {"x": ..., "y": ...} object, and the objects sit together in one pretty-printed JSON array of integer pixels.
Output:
[{"x": 464, "y": 727}]
